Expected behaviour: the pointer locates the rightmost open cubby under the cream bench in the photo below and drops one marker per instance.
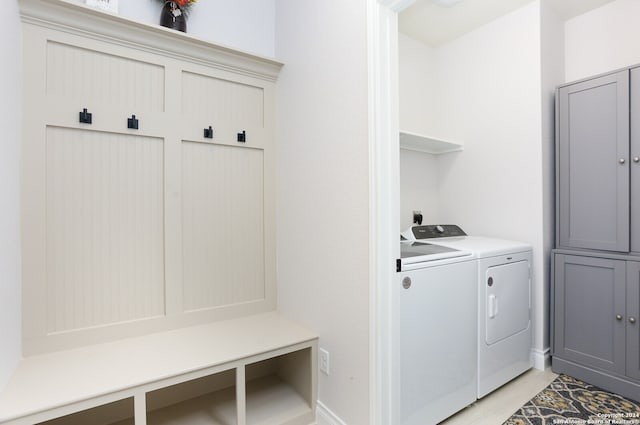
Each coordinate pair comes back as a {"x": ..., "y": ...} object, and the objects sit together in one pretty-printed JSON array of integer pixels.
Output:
[{"x": 279, "y": 389}]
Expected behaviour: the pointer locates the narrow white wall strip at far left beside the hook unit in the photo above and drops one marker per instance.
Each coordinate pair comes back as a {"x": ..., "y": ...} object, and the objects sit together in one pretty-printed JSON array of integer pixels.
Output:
[{"x": 10, "y": 294}]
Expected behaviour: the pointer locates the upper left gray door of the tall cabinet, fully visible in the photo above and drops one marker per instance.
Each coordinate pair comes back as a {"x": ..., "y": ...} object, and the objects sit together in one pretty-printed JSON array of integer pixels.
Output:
[{"x": 593, "y": 176}]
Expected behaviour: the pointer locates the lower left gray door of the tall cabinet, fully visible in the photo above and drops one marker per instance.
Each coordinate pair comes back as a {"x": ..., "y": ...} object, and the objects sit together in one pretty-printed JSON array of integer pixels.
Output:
[{"x": 589, "y": 293}]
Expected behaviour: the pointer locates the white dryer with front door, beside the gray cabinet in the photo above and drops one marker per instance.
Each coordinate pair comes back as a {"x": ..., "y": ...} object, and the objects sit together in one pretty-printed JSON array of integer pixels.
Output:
[{"x": 504, "y": 337}]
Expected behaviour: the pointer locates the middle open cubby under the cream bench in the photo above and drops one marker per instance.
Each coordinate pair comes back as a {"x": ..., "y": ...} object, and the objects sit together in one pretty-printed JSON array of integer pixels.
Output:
[{"x": 210, "y": 400}]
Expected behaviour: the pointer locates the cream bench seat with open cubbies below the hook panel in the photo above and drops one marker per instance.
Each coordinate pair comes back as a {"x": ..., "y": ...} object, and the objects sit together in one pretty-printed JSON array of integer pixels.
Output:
[{"x": 255, "y": 370}]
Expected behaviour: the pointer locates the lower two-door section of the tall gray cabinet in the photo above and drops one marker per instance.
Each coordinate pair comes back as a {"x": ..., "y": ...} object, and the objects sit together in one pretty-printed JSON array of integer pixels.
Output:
[{"x": 595, "y": 315}]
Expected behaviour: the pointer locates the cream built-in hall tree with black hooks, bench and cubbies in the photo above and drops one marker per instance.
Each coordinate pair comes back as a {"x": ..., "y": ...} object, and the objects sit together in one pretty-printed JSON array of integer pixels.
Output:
[{"x": 148, "y": 232}]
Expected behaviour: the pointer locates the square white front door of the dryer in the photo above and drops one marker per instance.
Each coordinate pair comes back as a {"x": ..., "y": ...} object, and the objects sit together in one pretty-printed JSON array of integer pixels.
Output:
[{"x": 507, "y": 297}]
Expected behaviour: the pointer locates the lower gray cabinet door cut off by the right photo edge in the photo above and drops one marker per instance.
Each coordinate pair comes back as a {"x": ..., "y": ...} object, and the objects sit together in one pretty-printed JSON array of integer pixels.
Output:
[{"x": 633, "y": 319}]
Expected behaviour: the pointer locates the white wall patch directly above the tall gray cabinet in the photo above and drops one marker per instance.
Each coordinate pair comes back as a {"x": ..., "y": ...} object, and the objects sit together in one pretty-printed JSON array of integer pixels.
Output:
[{"x": 603, "y": 40}]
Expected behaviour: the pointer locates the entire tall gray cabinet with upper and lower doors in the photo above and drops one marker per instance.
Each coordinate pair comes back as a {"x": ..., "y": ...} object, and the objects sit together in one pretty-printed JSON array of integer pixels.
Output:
[{"x": 595, "y": 297}]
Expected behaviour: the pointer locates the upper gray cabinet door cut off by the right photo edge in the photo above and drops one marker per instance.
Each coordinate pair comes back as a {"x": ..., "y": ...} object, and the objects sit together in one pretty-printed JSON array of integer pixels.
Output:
[{"x": 635, "y": 158}]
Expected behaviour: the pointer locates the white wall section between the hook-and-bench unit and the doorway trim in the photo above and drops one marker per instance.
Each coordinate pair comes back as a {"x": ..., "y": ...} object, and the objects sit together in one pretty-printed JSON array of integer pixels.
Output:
[{"x": 323, "y": 187}]
